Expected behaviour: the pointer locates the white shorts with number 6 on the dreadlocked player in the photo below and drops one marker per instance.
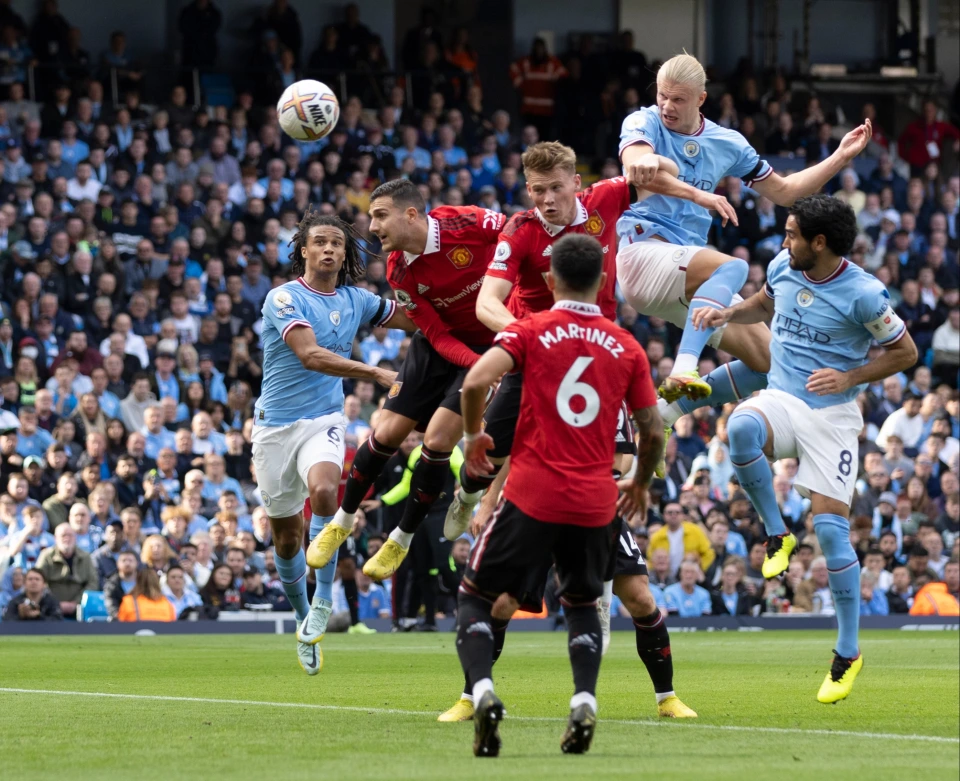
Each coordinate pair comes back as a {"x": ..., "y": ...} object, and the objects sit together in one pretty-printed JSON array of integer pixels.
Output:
[{"x": 283, "y": 455}]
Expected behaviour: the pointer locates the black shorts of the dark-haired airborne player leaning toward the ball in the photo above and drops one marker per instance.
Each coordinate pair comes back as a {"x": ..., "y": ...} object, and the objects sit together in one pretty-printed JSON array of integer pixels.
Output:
[{"x": 425, "y": 383}]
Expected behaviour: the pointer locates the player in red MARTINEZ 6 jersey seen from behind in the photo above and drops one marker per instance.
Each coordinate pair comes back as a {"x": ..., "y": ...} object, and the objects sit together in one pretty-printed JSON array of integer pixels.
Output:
[{"x": 560, "y": 497}]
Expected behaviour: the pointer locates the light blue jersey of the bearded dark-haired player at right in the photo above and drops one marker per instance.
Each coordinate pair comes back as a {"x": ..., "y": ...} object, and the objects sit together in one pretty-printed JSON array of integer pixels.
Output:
[{"x": 828, "y": 324}]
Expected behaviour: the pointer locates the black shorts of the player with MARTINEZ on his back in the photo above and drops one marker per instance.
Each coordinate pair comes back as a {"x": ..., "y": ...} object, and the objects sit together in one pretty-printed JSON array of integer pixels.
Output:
[{"x": 515, "y": 552}]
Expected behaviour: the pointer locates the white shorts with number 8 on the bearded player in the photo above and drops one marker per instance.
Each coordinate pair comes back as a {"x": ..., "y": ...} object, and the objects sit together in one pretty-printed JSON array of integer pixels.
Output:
[{"x": 824, "y": 441}]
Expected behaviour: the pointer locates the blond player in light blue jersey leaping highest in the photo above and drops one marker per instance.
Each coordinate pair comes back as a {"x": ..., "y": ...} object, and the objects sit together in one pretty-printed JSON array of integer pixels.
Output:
[{"x": 662, "y": 265}]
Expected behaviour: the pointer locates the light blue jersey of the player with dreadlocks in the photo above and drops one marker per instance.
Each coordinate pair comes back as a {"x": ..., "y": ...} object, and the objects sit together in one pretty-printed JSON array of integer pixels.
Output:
[{"x": 290, "y": 392}]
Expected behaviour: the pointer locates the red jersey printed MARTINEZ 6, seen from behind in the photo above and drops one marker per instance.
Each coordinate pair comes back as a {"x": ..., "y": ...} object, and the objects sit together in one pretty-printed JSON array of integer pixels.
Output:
[{"x": 577, "y": 366}]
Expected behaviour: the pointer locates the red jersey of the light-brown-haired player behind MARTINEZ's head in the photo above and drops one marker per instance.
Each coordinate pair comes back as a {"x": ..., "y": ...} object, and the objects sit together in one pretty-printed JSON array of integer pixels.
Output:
[{"x": 523, "y": 254}]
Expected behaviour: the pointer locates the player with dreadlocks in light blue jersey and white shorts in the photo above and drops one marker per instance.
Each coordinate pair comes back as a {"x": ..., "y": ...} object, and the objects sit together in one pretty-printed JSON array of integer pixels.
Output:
[{"x": 309, "y": 326}]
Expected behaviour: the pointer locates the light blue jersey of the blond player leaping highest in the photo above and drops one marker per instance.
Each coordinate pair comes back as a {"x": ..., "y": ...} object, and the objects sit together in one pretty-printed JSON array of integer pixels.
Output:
[{"x": 704, "y": 159}]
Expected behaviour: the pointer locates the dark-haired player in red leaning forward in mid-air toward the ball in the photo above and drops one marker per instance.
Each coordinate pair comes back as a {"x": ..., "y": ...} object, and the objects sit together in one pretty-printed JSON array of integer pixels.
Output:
[{"x": 436, "y": 266}]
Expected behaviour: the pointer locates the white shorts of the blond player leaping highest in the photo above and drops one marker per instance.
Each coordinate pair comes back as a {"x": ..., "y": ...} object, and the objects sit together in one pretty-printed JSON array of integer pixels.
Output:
[{"x": 653, "y": 279}]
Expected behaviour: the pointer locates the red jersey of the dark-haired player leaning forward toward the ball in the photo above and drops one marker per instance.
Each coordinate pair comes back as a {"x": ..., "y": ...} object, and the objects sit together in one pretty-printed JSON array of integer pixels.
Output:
[{"x": 439, "y": 288}]
